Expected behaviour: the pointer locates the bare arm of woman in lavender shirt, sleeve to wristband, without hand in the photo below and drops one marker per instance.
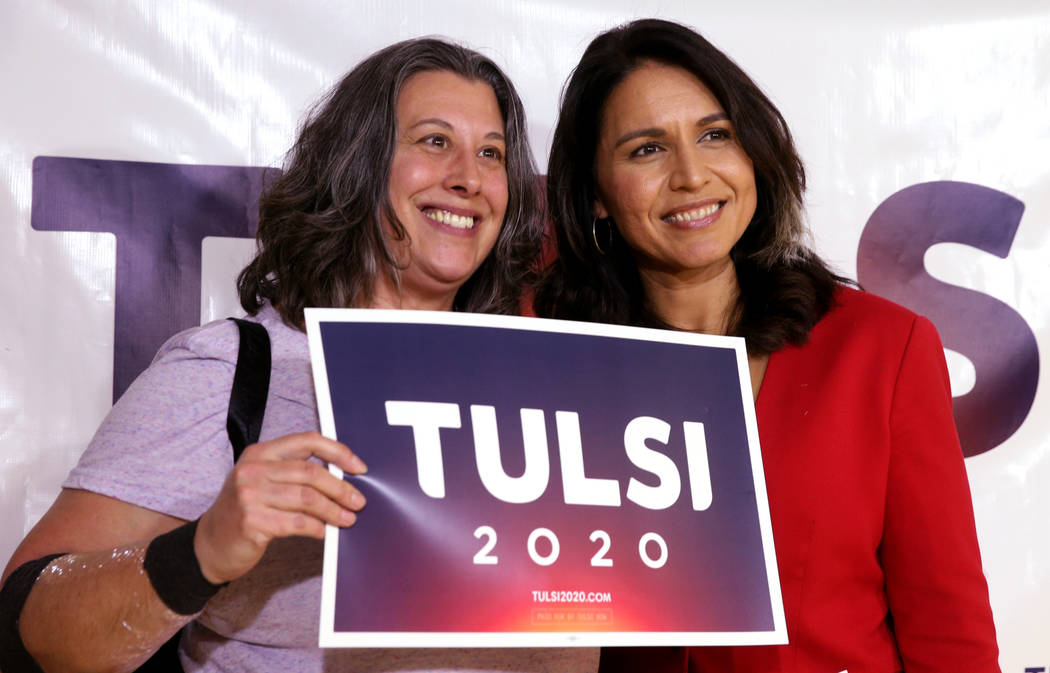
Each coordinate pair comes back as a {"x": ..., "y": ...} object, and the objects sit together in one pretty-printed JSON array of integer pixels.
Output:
[{"x": 97, "y": 601}]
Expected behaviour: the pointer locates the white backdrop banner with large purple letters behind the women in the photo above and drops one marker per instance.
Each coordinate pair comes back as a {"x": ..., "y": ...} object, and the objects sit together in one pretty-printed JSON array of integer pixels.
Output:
[{"x": 926, "y": 132}]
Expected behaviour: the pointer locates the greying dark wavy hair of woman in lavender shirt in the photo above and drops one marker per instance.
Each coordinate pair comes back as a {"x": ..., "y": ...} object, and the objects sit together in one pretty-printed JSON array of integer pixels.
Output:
[{"x": 321, "y": 240}]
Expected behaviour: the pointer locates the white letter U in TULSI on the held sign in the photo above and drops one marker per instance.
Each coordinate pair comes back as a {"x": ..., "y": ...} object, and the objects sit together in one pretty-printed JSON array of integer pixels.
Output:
[{"x": 487, "y": 447}]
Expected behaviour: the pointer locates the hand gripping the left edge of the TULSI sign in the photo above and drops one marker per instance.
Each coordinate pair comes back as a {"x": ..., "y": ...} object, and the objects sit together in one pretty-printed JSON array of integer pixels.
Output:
[{"x": 276, "y": 491}]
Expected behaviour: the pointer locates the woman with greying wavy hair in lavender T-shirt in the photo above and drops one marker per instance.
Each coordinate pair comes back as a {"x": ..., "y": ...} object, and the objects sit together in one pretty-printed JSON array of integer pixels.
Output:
[{"x": 411, "y": 186}]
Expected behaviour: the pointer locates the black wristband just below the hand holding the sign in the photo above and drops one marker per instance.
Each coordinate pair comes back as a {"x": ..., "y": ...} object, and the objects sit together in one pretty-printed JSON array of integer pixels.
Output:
[{"x": 175, "y": 572}]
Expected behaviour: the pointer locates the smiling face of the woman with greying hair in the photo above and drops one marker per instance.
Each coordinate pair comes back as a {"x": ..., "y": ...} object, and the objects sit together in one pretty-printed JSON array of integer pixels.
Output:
[{"x": 448, "y": 185}]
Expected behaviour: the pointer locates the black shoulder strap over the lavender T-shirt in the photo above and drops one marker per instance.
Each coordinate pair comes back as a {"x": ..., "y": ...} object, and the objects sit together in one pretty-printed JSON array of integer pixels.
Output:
[{"x": 251, "y": 384}]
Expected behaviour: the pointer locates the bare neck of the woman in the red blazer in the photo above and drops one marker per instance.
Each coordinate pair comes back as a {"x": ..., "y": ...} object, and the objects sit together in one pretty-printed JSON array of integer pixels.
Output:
[{"x": 702, "y": 301}]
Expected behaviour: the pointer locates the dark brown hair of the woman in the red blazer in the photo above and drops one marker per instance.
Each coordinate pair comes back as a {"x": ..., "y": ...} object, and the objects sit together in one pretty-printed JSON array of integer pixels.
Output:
[{"x": 785, "y": 287}]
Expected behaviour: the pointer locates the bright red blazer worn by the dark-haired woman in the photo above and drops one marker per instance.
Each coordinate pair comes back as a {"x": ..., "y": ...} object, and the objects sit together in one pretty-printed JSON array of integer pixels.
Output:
[{"x": 871, "y": 508}]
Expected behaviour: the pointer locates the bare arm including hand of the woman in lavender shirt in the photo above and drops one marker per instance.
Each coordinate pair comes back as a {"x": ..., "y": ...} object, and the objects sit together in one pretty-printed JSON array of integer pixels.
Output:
[{"x": 96, "y": 609}]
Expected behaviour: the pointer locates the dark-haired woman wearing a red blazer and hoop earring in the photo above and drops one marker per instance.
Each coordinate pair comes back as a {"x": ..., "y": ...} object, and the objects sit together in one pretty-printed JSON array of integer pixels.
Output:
[{"x": 677, "y": 196}]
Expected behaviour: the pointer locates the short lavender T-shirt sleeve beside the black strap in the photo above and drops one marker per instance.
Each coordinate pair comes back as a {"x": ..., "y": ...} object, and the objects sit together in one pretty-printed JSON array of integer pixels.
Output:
[{"x": 164, "y": 445}]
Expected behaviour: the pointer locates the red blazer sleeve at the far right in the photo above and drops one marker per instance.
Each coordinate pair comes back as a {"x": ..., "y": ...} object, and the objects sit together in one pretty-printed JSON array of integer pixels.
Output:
[{"x": 935, "y": 583}]
